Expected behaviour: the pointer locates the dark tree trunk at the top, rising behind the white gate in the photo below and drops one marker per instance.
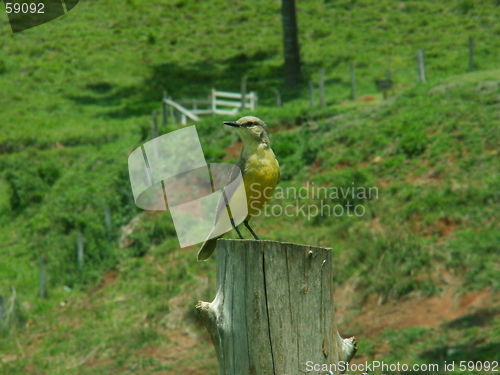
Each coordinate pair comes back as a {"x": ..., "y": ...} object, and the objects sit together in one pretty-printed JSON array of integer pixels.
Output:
[{"x": 290, "y": 43}]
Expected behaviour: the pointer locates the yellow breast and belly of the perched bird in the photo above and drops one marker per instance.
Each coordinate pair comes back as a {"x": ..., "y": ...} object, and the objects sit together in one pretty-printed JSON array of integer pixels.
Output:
[{"x": 260, "y": 175}]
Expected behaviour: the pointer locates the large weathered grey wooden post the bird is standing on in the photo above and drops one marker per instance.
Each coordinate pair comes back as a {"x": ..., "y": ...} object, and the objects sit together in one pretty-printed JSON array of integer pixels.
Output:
[{"x": 273, "y": 312}]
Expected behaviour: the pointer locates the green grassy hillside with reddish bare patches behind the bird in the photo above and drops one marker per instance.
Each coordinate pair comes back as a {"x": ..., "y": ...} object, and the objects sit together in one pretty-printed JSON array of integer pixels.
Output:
[{"x": 76, "y": 95}]
